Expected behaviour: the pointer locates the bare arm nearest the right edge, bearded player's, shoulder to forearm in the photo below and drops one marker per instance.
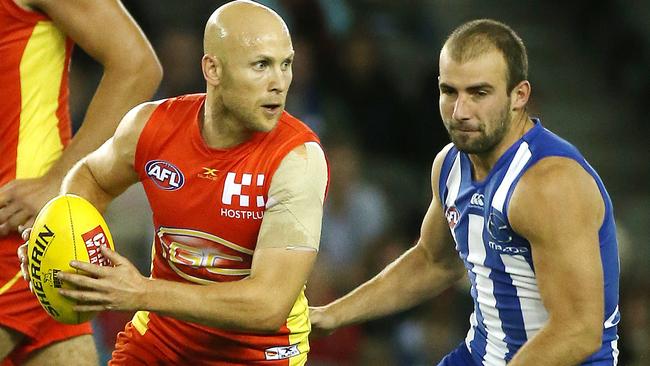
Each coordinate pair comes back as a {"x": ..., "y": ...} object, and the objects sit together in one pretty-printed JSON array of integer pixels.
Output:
[{"x": 557, "y": 206}]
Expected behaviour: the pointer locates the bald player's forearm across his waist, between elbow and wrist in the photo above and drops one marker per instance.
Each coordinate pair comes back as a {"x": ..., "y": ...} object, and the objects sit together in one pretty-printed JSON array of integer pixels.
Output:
[{"x": 239, "y": 305}]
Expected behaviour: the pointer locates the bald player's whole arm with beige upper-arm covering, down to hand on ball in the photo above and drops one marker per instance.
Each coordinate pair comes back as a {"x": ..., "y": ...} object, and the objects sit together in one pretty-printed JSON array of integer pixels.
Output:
[{"x": 282, "y": 262}]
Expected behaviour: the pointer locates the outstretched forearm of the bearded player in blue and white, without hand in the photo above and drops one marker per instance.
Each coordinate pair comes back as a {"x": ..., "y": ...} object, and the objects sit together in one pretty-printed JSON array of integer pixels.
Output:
[{"x": 403, "y": 284}]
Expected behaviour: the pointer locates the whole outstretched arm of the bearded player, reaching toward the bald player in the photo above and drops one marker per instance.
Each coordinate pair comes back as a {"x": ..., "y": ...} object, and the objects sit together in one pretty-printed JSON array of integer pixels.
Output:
[{"x": 396, "y": 288}]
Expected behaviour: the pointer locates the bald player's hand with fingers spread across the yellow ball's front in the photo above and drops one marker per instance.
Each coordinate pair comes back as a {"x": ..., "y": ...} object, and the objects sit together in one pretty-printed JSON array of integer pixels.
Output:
[{"x": 120, "y": 287}]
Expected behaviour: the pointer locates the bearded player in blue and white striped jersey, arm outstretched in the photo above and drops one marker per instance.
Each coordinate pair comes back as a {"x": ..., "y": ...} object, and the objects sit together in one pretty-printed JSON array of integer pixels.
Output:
[{"x": 531, "y": 220}]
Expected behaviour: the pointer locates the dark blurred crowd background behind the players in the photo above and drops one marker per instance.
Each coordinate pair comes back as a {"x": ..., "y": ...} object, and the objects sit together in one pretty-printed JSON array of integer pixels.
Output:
[{"x": 365, "y": 80}]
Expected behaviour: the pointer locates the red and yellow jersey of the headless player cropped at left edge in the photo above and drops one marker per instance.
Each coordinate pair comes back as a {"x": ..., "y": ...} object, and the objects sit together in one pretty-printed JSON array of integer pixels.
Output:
[{"x": 35, "y": 58}]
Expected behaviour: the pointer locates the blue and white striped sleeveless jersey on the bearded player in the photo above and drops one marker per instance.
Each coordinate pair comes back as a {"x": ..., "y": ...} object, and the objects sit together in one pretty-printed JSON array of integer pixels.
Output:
[{"x": 508, "y": 309}]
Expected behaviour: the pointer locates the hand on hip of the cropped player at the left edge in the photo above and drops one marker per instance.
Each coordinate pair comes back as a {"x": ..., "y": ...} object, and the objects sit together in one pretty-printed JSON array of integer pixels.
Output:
[{"x": 21, "y": 199}]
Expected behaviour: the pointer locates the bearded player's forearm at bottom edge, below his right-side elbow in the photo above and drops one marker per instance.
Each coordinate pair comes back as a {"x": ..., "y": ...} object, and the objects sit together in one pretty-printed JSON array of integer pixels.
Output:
[{"x": 558, "y": 344}]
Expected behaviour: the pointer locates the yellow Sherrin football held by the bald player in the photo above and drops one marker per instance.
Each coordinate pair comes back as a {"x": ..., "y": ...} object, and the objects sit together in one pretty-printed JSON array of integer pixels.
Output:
[{"x": 68, "y": 227}]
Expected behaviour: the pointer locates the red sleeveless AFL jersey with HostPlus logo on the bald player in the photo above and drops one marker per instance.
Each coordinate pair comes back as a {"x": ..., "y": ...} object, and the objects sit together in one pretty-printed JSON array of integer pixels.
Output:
[{"x": 208, "y": 206}]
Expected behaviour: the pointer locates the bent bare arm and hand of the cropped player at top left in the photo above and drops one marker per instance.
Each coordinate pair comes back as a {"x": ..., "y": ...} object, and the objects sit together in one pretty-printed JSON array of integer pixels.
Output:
[{"x": 131, "y": 74}]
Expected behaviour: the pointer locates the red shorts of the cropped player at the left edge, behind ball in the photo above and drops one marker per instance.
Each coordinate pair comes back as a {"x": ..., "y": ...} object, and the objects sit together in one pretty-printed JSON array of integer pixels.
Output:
[{"x": 20, "y": 310}]
